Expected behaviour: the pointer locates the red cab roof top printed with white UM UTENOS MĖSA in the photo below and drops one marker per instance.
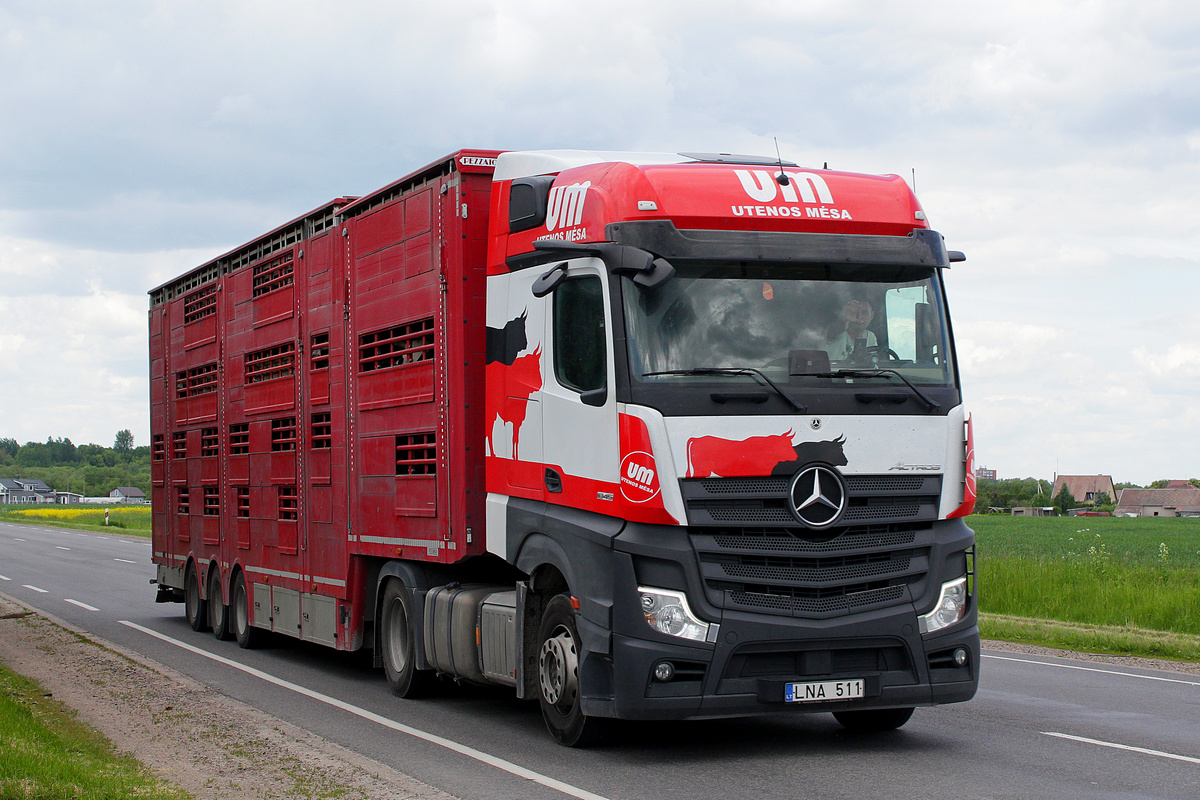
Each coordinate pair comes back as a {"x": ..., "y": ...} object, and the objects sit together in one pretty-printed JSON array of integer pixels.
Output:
[{"x": 580, "y": 203}]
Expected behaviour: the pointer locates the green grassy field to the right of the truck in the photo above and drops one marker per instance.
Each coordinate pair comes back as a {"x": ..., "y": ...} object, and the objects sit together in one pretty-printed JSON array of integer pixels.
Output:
[{"x": 1115, "y": 585}]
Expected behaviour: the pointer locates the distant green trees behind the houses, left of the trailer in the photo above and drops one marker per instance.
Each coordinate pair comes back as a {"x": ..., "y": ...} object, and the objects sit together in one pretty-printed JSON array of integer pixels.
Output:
[{"x": 92, "y": 471}]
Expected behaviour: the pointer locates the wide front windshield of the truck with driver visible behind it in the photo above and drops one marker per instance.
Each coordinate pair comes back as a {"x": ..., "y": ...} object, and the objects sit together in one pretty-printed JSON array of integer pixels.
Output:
[{"x": 791, "y": 323}]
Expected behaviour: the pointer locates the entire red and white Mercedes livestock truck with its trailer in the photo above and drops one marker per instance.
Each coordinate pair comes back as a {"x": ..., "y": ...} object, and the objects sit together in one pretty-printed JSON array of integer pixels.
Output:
[{"x": 643, "y": 436}]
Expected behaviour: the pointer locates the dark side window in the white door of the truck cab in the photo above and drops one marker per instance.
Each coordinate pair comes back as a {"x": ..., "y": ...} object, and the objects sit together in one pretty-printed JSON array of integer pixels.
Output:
[{"x": 580, "y": 344}]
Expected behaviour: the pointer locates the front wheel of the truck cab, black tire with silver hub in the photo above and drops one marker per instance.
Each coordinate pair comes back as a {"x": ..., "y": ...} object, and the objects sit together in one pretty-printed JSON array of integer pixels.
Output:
[{"x": 559, "y": 679}]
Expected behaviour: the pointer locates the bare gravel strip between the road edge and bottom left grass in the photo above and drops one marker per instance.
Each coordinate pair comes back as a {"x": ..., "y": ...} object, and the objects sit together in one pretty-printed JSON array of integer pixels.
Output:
[{"x": 190, "y": 735}]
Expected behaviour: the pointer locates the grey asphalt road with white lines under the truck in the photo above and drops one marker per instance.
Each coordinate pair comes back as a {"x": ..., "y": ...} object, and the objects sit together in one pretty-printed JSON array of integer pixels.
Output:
[{"x": 1040, "y": 727}]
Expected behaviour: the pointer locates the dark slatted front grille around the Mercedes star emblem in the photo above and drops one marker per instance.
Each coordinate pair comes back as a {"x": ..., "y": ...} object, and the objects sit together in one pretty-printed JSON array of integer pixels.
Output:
[{"x": 755, "y": 555}]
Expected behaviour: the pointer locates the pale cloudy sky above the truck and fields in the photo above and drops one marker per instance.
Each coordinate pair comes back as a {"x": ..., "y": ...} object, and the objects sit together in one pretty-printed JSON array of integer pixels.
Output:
[{"x": 1055, "y": 143}]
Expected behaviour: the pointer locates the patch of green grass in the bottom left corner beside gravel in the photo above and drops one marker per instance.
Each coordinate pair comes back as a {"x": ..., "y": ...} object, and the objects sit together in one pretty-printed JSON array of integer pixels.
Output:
[{"x": 49, "y": 754}]
